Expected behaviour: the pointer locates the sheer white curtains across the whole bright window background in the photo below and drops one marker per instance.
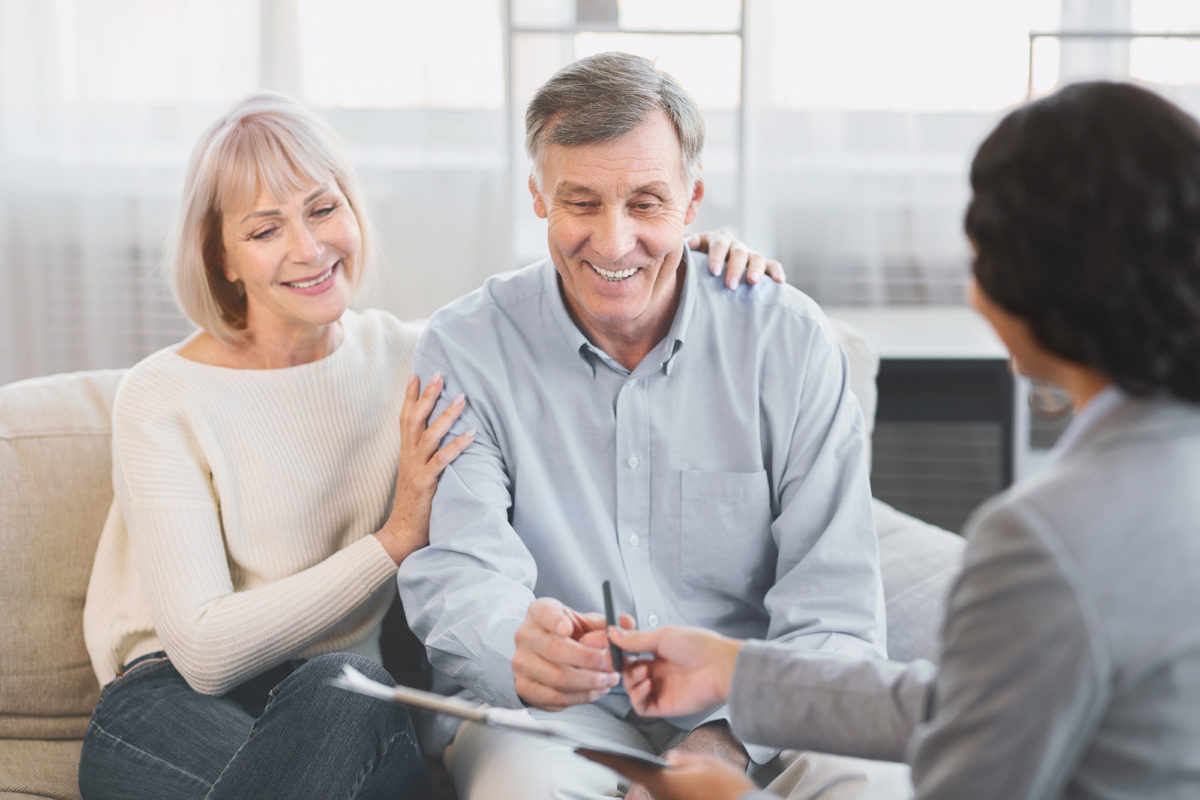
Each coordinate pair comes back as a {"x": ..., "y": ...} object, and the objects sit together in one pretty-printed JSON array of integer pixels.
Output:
[{"x": 843, "y": 149}]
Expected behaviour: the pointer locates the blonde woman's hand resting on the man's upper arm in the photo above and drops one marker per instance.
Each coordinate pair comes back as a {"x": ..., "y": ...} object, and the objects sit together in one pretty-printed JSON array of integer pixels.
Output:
[{"x": 422, "y": 461}]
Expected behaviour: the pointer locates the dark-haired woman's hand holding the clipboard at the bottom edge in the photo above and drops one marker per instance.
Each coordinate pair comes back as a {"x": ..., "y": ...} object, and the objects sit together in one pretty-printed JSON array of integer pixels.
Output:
[{"x": 689, "y": 777}]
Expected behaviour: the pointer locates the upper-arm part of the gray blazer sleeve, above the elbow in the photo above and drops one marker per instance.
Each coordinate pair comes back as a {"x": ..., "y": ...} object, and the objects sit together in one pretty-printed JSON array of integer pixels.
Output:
[{"x": 1022, "y": 687}]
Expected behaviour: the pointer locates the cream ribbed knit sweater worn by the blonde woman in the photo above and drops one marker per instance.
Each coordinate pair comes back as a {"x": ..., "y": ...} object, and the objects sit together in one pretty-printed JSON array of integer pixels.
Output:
[{"x": 239, "y": 536}]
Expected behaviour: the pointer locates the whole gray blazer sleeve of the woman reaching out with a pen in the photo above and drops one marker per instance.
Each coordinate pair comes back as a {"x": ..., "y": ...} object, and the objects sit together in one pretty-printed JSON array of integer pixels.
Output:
[{"x": 1016, "y": 700}]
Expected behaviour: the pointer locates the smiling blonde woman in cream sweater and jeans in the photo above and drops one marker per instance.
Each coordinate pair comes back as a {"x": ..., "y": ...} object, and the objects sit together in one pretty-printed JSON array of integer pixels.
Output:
[{"x": 265, "y": 492}]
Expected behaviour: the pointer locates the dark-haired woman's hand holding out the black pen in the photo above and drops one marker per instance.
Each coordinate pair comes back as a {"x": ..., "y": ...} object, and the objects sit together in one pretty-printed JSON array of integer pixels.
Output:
[{"x": 692, "y": 670}]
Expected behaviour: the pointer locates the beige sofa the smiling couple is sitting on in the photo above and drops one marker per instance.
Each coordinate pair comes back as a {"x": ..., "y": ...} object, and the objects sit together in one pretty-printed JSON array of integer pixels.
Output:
[{"x": 56, "y": 492}]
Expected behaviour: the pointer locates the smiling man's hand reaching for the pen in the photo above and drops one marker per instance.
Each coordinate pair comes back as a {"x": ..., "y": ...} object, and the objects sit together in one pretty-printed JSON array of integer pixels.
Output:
[{"x": 562, "y": 658}]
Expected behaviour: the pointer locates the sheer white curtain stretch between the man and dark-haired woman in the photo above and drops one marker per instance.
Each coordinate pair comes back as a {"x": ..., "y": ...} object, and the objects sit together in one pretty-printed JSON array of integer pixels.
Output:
[{"x": 863, "y": 118}]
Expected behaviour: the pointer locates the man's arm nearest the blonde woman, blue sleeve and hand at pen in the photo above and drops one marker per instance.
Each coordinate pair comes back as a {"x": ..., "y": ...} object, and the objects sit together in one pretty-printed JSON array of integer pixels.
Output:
[{"x": 470, "y": 594}]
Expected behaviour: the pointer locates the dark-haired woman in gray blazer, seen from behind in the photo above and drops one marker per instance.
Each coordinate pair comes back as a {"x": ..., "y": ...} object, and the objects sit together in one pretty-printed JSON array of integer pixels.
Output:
[{"x": 1071, "y": 655}]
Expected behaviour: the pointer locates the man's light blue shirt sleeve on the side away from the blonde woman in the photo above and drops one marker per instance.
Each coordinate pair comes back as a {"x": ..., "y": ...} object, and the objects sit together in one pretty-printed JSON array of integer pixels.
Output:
[{"x": 829, "y": 593}]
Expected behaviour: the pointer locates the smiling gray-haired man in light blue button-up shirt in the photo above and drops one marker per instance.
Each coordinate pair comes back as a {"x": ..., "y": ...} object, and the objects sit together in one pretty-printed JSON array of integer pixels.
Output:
[{"x": 639, "y": 424}]
